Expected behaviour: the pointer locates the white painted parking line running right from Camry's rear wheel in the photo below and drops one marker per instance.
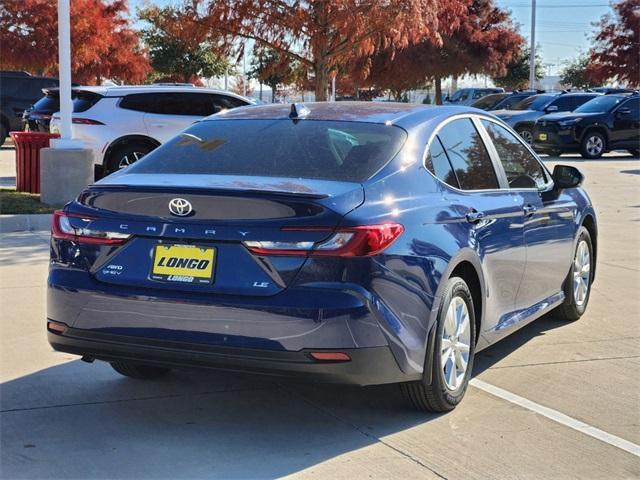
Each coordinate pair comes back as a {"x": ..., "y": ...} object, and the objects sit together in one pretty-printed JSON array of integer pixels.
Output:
[{"x": 558, "y": 417}]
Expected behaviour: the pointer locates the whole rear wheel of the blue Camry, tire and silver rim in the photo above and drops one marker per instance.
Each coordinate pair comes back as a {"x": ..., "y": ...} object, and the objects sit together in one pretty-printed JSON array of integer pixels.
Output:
[{"x": 453, "y": 352}]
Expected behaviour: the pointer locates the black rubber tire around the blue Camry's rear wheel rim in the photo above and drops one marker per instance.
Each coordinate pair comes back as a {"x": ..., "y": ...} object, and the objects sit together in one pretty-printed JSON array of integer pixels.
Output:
[{"x": 436, "y": 395}]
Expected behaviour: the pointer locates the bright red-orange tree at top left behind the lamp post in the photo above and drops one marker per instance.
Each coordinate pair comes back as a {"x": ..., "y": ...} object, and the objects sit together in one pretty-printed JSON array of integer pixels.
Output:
[{"x": 103, "y": 44}]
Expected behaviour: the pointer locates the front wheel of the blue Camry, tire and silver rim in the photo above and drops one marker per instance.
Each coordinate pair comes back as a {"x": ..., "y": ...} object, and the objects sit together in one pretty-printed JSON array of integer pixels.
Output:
[{"x": 577, "y": 285}]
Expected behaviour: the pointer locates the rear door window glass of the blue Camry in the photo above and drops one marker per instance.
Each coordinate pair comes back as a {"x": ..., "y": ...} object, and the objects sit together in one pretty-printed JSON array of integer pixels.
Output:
[{"x": 468, "y": 155}]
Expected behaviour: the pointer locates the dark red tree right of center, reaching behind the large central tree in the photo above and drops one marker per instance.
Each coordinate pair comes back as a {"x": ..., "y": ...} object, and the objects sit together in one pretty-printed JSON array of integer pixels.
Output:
[{"x": 482, "y": 40}]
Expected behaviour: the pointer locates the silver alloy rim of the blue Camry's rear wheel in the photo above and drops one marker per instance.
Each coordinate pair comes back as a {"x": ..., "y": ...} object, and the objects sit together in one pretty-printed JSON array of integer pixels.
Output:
[{"x": 455, "y": 343}]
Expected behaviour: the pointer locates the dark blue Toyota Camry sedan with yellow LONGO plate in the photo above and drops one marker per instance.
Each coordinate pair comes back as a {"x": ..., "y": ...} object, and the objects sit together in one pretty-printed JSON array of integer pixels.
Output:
[{"x": 361, "y": 243}]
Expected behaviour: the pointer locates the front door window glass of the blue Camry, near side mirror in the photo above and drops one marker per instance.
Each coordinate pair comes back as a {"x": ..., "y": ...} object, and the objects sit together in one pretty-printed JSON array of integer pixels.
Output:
[{"x": 522, "y": 169}]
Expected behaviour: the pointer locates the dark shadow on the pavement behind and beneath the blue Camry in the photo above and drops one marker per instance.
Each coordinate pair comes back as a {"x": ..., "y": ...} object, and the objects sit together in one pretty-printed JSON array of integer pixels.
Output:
[{"x": 84, "y": 421}]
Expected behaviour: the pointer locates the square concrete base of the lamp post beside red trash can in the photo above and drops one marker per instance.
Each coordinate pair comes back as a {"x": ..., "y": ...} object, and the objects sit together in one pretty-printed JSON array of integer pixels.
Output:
[{"x": 64, "y": 173}]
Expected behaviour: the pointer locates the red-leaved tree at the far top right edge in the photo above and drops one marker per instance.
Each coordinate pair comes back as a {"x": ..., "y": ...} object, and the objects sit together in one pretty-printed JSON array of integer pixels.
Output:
[{"x": 616, "y": 50}]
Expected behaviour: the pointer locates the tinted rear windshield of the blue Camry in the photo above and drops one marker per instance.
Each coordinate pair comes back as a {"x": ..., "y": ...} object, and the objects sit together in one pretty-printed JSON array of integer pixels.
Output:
[{"x": 315, "y": 149}]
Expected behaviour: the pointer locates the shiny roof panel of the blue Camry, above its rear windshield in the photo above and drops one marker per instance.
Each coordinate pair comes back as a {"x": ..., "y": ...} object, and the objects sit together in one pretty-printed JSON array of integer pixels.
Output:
[{"x": 402, "y": 114}]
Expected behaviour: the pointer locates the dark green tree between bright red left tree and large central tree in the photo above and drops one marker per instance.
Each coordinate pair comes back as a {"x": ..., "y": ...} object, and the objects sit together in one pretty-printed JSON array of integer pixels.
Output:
[{"x": 180, "y": 50}]
